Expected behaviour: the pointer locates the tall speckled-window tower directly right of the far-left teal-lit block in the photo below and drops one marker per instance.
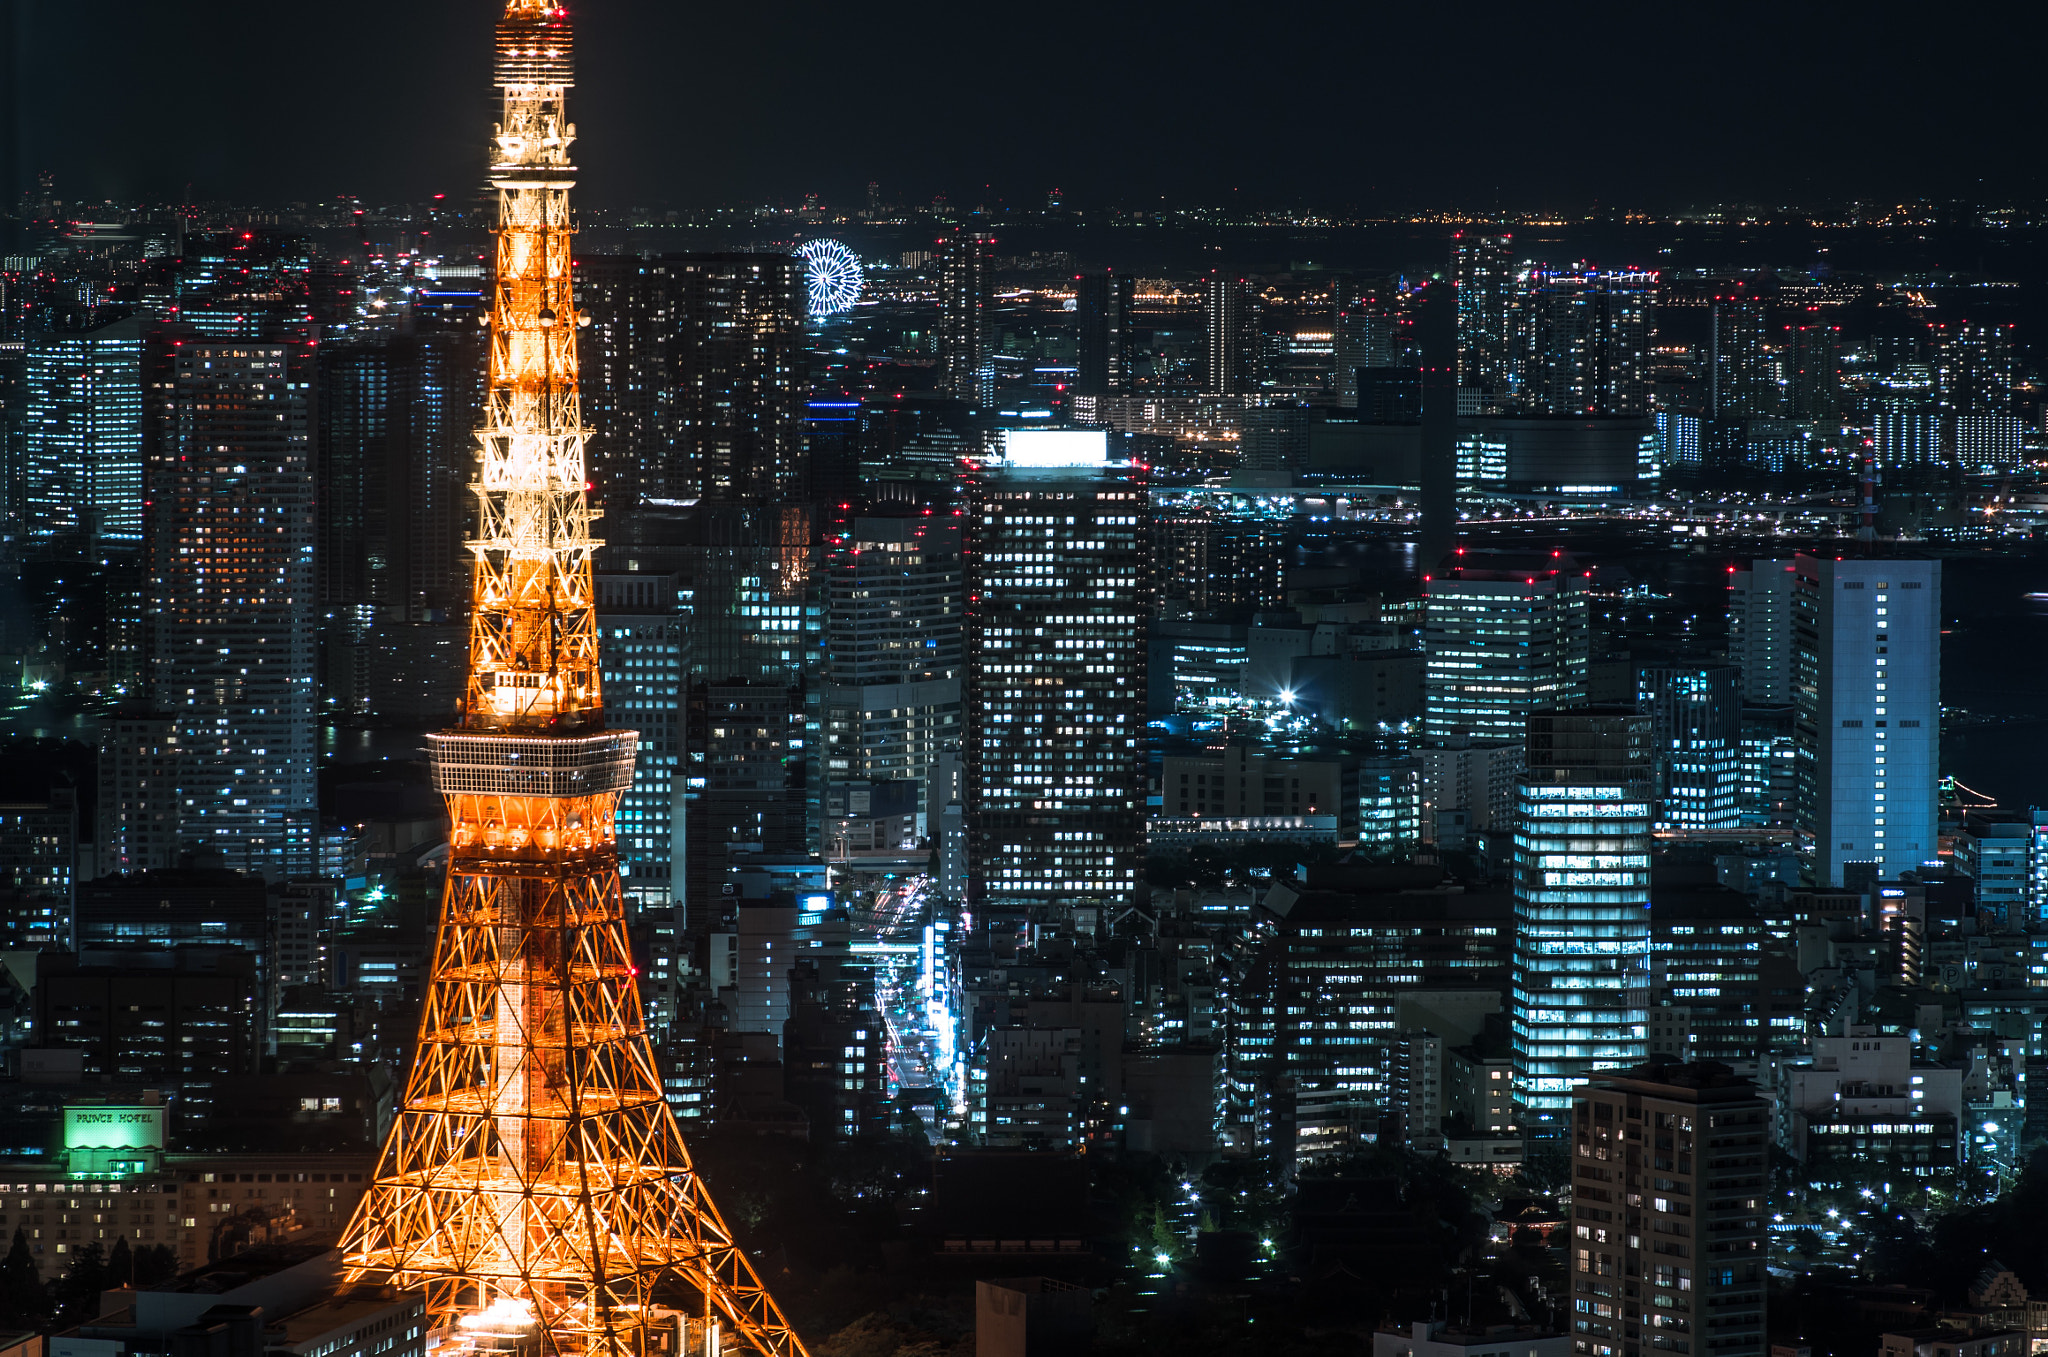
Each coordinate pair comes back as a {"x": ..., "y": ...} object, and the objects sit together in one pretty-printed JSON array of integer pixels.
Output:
[{"x": 232, "y": 599}]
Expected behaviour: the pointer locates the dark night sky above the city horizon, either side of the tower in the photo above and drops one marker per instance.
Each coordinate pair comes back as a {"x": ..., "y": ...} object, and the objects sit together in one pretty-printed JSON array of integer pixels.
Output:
[{"x": 1334, "y": 105}]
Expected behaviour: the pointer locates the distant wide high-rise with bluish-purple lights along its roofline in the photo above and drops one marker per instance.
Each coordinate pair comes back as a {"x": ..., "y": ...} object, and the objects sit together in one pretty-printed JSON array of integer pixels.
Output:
[{"x": 1584, "y": 343}]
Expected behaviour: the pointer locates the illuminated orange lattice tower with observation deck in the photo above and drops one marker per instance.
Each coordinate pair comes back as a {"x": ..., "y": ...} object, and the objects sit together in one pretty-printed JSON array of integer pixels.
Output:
[{"x": 536, "y": 1184}]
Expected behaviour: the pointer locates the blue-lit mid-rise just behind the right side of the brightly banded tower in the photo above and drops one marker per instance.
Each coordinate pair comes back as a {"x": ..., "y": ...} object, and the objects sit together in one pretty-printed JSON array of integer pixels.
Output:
[{"x": 1697, "y": 744}]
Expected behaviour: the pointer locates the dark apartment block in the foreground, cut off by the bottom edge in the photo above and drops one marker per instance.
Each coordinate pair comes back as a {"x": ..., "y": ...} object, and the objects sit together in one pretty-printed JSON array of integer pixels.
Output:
[{"x": 1668, "y": 1219}]
